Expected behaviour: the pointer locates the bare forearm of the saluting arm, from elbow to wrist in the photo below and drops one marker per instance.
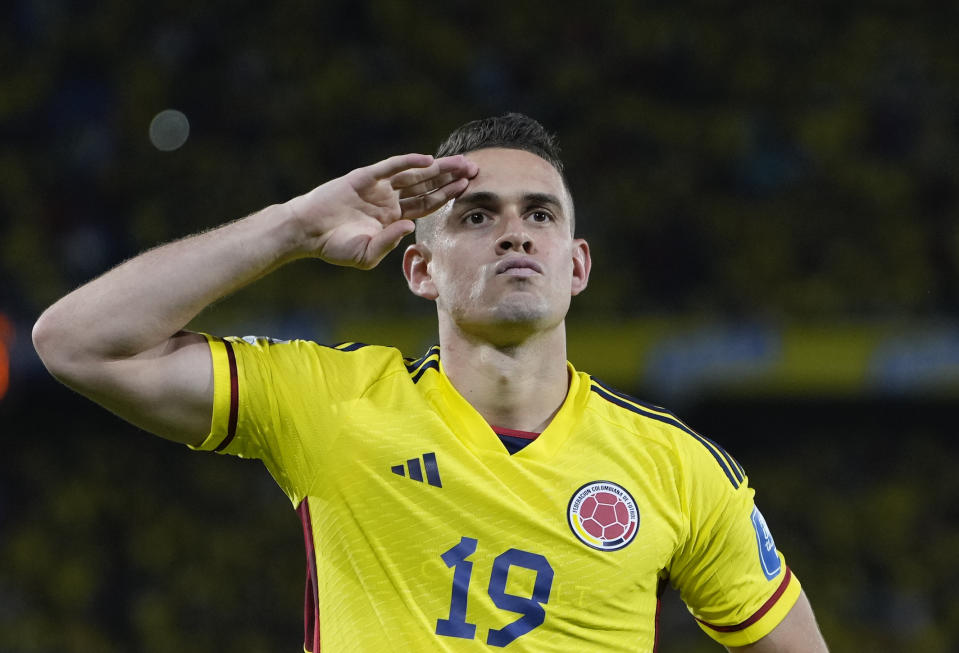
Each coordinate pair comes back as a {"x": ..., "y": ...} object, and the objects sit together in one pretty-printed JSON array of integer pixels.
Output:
[{"x": 143, "y": 302}]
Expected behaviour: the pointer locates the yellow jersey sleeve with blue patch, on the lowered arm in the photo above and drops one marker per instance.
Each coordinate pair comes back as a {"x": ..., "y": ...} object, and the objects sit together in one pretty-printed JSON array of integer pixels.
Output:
[{"x": 728, "y": 571}]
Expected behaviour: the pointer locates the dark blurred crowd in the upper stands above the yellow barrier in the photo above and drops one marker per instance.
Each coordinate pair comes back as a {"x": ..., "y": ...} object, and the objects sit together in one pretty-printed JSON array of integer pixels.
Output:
[{"x": 760, "y": 158}]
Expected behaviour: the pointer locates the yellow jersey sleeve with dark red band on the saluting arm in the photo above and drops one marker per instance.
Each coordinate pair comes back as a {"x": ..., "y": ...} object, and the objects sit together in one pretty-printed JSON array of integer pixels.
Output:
[{"x": 279, "y": 401}]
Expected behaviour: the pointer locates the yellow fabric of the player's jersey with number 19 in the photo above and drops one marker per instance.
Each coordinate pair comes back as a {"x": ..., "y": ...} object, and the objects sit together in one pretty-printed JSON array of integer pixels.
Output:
[{"x": 334, "y": 427}]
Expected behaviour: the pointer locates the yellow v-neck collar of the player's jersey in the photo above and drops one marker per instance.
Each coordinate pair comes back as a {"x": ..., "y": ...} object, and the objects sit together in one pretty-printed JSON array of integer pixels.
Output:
[{"x": 473, "y": 430}]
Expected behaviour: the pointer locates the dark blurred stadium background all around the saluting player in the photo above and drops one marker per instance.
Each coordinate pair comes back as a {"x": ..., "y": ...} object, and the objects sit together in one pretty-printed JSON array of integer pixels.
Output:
[{"x": 771, "y": 198}]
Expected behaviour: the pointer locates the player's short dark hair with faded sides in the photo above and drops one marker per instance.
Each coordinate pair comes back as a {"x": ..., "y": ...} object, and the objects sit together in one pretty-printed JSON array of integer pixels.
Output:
[{"x": 514, "y": 131}]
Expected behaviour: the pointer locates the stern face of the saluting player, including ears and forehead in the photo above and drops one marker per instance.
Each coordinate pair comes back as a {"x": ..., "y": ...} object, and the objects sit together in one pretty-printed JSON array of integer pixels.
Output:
[{"x": 501, "y": 262}]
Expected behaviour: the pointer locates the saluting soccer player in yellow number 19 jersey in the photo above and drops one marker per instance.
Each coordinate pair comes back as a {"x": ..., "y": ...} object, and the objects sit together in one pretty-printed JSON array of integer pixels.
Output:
[{"x": 485, "y": 495}]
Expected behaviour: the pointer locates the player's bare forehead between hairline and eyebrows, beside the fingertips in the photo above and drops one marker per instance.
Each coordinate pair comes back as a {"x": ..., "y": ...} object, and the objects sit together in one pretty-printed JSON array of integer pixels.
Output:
[{"x": 509, "y": 172}]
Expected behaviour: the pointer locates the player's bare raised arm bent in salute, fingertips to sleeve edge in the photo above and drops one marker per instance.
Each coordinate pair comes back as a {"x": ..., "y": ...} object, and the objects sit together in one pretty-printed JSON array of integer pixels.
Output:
[{"x": 119, "y": 339}]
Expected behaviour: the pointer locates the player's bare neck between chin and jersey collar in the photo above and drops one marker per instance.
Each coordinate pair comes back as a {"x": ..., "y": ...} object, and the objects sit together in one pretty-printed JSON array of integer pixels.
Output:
[{"x": 520, "y": 386}]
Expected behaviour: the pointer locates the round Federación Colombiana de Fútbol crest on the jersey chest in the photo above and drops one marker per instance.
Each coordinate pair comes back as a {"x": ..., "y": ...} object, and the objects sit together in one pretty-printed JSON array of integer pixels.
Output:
[{"x": 603, "y": 515}]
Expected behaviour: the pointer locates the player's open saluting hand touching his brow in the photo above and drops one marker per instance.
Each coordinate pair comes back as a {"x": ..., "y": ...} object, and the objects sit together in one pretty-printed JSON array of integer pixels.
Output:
[{"x": 355, "y": 220}]
